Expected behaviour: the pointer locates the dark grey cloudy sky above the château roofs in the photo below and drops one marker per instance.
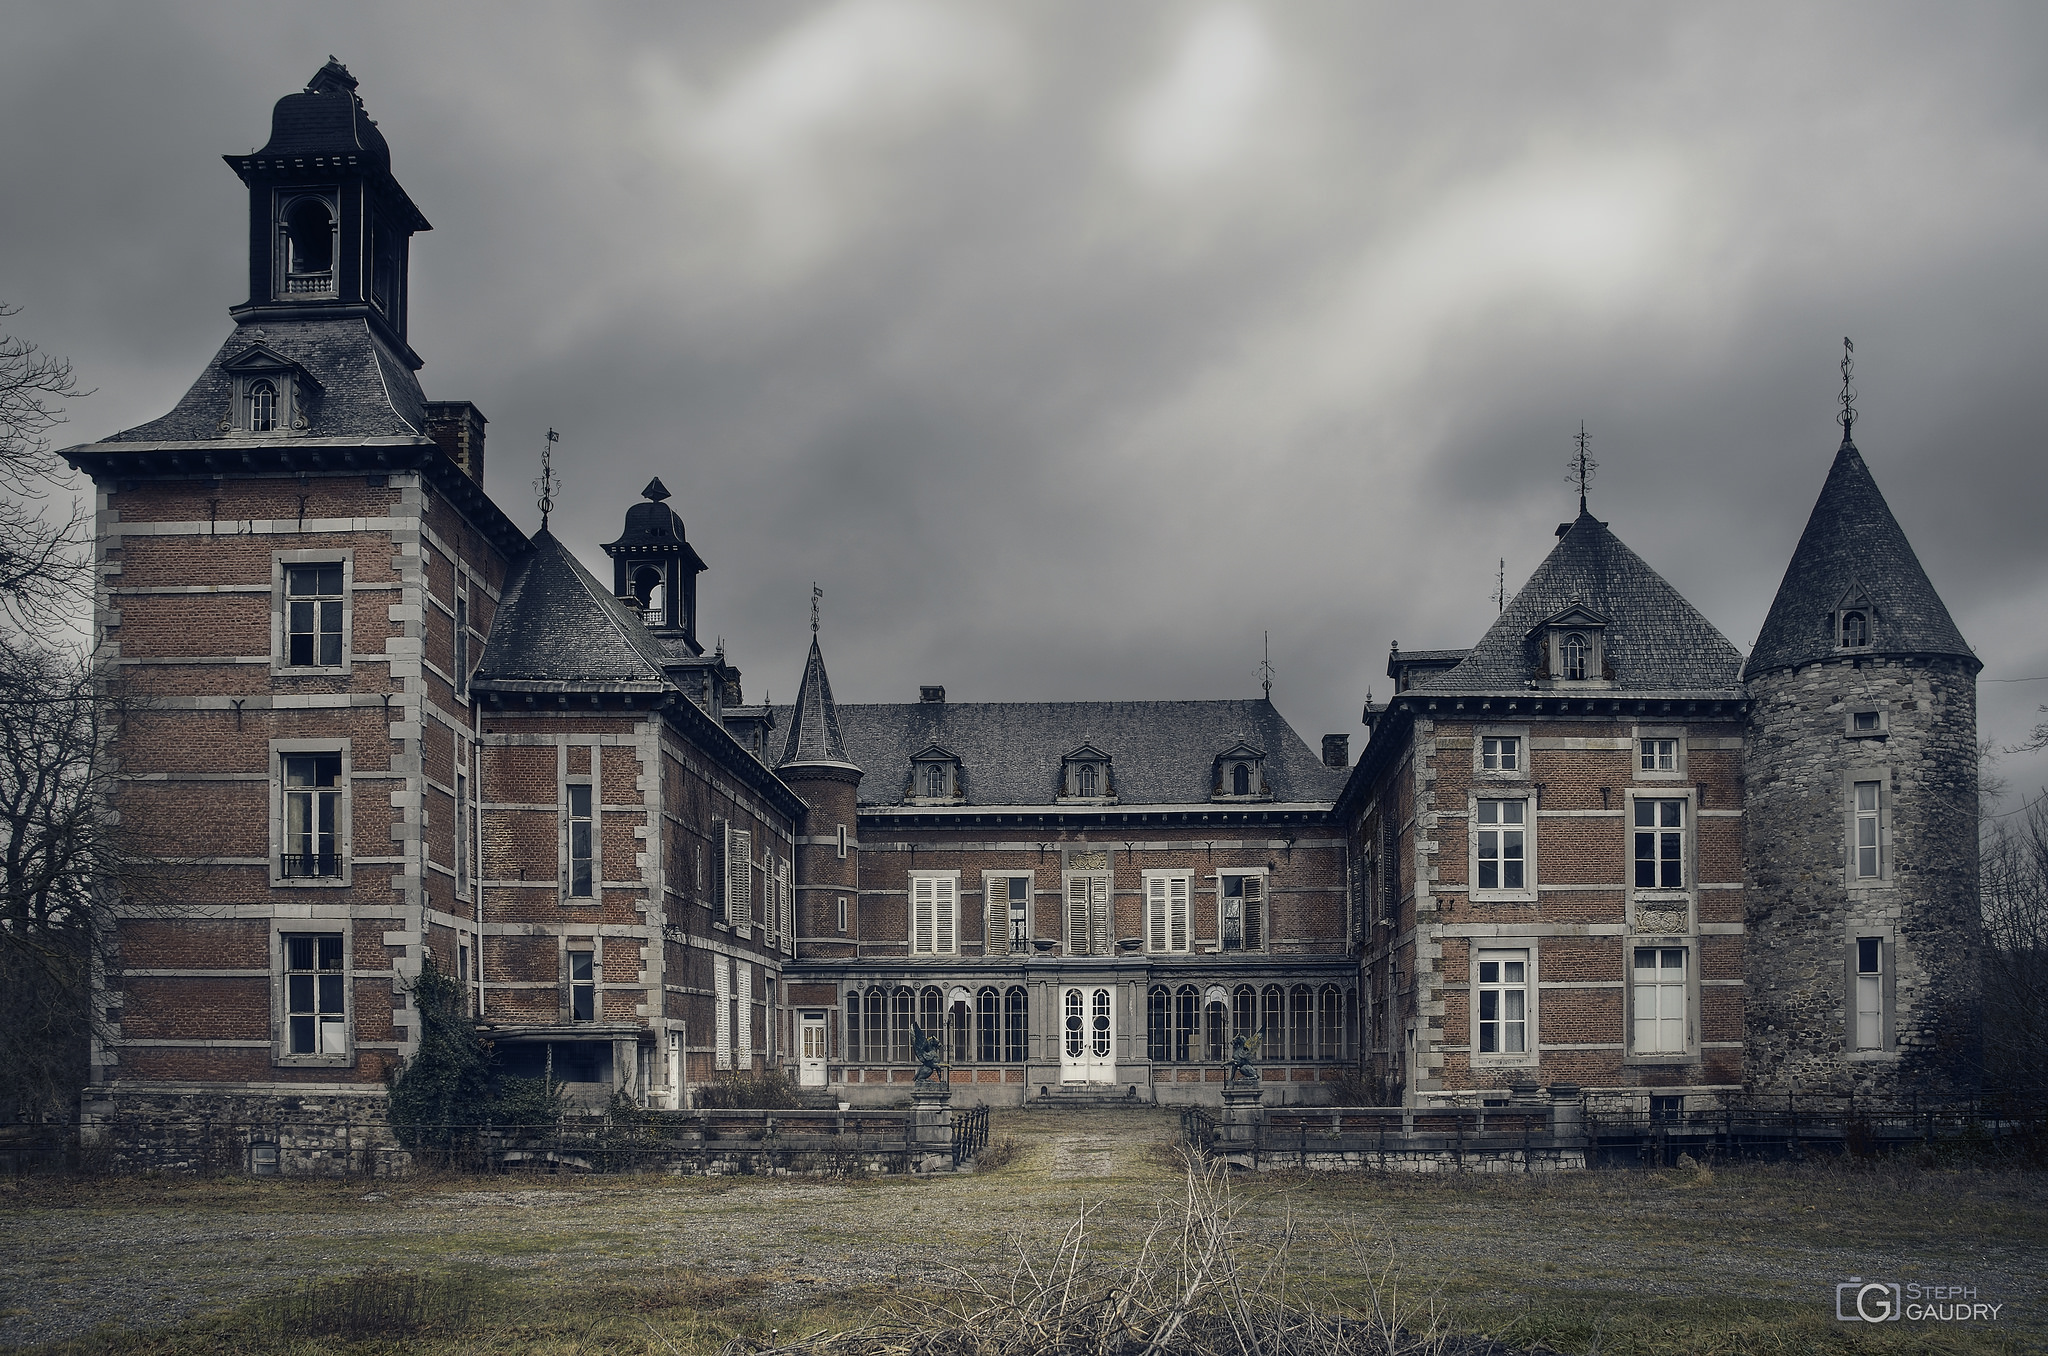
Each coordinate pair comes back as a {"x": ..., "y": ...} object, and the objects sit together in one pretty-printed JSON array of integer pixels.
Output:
[{"x": 1072, "y": 347}]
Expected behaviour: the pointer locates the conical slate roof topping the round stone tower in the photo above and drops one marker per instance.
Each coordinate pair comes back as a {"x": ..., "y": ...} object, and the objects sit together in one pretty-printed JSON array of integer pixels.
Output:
[{"x": 1852, "y": 544}]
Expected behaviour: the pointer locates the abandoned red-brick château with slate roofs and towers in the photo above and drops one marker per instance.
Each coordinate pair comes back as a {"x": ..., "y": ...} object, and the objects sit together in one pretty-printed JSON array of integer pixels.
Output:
[{"x": 384, "y": 724}]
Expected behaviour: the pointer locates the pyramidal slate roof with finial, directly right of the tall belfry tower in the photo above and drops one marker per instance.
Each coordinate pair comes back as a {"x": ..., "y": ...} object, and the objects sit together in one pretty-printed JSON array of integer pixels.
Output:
[{"x": 560, "y": 630}]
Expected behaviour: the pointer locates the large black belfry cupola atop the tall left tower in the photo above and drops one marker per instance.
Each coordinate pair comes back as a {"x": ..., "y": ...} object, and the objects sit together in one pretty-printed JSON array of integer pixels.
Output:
[{"x": 331, "y": 230}]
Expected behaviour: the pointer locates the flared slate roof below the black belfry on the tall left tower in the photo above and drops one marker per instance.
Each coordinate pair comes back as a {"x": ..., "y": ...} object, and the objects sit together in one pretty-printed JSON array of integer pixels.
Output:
[{"x": 366, "y": 390}]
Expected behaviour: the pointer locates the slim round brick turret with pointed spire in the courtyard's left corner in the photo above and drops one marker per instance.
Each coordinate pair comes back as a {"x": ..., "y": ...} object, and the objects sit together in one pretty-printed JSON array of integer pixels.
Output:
[{"x": 828, "y": 851}]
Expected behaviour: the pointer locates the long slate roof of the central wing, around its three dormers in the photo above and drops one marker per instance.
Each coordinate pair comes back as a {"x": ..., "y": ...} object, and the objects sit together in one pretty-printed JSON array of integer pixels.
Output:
[{"x": 1162, "y": 753}]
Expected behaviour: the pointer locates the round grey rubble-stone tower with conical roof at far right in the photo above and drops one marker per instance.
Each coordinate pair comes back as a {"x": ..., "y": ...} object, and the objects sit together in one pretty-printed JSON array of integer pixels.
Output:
[{"x": 1861, "y": 816}]
